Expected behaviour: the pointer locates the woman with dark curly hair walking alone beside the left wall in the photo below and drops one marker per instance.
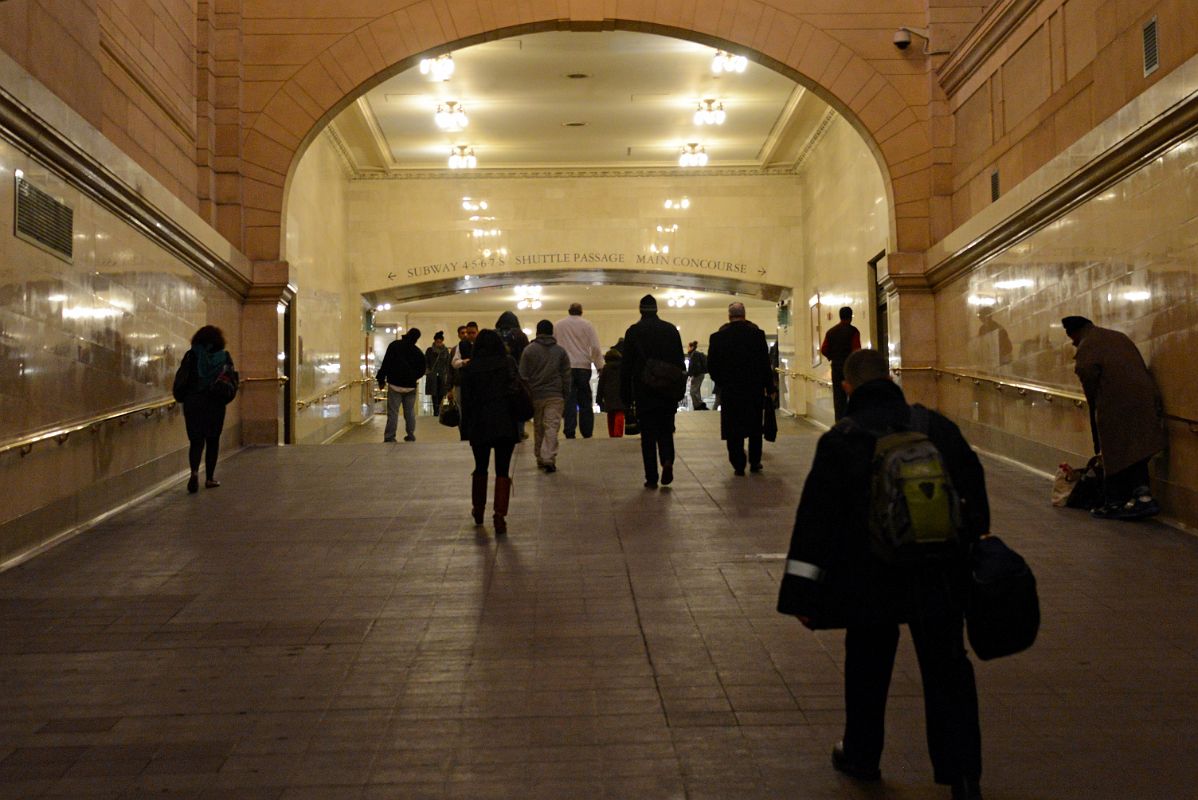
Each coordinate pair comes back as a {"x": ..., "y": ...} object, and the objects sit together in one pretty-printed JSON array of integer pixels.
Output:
[{"x": 204, "y": 413}]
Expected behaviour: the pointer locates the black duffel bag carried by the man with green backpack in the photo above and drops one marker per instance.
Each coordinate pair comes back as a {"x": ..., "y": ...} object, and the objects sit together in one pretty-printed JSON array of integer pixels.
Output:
[{"x": 1003, "y": 609}]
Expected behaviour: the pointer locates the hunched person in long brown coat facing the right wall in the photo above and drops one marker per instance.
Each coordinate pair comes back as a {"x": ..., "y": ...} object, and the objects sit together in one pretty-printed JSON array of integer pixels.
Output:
[{"x": 1126, "y": 416}]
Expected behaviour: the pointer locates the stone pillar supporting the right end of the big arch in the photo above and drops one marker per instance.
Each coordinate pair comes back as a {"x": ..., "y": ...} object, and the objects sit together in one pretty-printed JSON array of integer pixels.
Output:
[{"x": 912, "y": 325}]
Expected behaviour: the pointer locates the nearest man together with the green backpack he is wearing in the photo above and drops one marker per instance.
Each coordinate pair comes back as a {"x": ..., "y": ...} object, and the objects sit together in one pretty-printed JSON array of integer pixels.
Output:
[{"x": 893, "y": 502}]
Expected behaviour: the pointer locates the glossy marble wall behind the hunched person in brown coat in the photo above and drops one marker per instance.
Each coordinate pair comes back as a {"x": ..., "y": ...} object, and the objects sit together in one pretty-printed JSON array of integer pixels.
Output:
[{"x": 1128, "y": 260}]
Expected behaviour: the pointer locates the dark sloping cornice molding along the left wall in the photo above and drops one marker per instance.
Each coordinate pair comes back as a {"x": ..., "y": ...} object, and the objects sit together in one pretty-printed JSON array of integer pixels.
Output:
[{"x": 40, "y": 141}]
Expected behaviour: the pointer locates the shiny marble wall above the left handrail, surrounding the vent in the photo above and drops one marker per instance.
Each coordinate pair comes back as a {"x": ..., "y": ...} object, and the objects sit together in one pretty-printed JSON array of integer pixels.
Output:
[{"x": 100, "y": 334}]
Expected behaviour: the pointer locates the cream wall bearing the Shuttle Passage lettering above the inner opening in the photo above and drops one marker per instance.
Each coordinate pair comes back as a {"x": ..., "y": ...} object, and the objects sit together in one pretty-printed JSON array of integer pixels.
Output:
[{"x": 404, "y": 233}]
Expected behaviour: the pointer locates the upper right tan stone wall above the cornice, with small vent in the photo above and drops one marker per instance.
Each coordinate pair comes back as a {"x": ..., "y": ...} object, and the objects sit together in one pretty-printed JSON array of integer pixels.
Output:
[{"x": 1061, "y": 72}]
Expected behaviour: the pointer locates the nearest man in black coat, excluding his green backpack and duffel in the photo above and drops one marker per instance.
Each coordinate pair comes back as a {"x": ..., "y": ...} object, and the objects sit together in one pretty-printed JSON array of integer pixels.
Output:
[{"x": 833, "y": 580}]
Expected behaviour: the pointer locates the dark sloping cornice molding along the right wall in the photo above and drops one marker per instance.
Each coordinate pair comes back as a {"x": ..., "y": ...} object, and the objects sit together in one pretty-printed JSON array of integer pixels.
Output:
[{"x": 1135, "y": 153}]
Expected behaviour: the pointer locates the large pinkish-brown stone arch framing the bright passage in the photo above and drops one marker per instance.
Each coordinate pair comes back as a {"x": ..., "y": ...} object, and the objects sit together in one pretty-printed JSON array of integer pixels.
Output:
[{"x": 335, "y": 63}]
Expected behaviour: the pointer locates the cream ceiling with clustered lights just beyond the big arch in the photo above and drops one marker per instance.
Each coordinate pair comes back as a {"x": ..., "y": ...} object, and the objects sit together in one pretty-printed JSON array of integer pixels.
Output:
[{"x": 637, "y": 104}]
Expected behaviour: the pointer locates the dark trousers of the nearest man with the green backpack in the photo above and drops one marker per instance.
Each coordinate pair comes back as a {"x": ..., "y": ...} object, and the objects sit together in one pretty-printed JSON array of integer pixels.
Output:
[{"x": 951, "y": 696}]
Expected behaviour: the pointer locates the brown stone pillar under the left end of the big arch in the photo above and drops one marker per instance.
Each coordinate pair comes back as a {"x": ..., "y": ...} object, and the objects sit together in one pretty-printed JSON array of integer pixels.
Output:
[{"x": 259, "y": 353}]
